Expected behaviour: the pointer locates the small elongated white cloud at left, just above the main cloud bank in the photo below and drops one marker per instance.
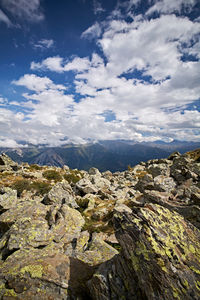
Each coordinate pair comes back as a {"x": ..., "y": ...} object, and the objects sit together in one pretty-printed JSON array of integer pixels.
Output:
[{"x": 36, "y": 83}]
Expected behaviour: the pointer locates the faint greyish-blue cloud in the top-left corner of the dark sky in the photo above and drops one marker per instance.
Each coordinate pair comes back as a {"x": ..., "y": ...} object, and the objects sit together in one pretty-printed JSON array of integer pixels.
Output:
[{"x": 23, "y": 9}]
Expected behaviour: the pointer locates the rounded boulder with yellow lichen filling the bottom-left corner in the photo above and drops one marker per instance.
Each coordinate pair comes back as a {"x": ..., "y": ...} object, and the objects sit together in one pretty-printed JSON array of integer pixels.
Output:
[{"x": 35, "y": 274}]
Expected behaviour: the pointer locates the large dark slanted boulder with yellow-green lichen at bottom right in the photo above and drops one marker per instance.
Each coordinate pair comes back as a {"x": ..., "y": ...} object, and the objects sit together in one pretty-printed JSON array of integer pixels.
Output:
[{"x": 160, "y": 254}]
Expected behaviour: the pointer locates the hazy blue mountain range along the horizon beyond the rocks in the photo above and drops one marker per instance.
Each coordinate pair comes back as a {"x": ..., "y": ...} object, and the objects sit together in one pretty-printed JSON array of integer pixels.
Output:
[{"x": 104, "y": 155}]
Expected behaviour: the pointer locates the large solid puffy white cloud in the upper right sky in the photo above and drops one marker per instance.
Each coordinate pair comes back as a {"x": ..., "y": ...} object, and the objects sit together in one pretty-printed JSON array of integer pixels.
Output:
[{"x": 148, "y": 45}]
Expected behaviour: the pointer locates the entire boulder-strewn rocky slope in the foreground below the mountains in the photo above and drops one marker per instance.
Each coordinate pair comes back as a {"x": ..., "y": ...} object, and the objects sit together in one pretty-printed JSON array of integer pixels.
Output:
[{"x": 69, "y": 234}]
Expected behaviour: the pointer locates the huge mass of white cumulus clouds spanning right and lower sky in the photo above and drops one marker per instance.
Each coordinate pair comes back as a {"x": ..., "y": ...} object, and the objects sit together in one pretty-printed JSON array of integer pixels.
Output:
[{"x": 142, "y": 85}]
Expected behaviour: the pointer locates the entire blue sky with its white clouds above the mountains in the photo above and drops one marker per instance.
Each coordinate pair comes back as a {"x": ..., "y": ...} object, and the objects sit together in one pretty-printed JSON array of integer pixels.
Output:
[{"x": 73, "y": 71}]
